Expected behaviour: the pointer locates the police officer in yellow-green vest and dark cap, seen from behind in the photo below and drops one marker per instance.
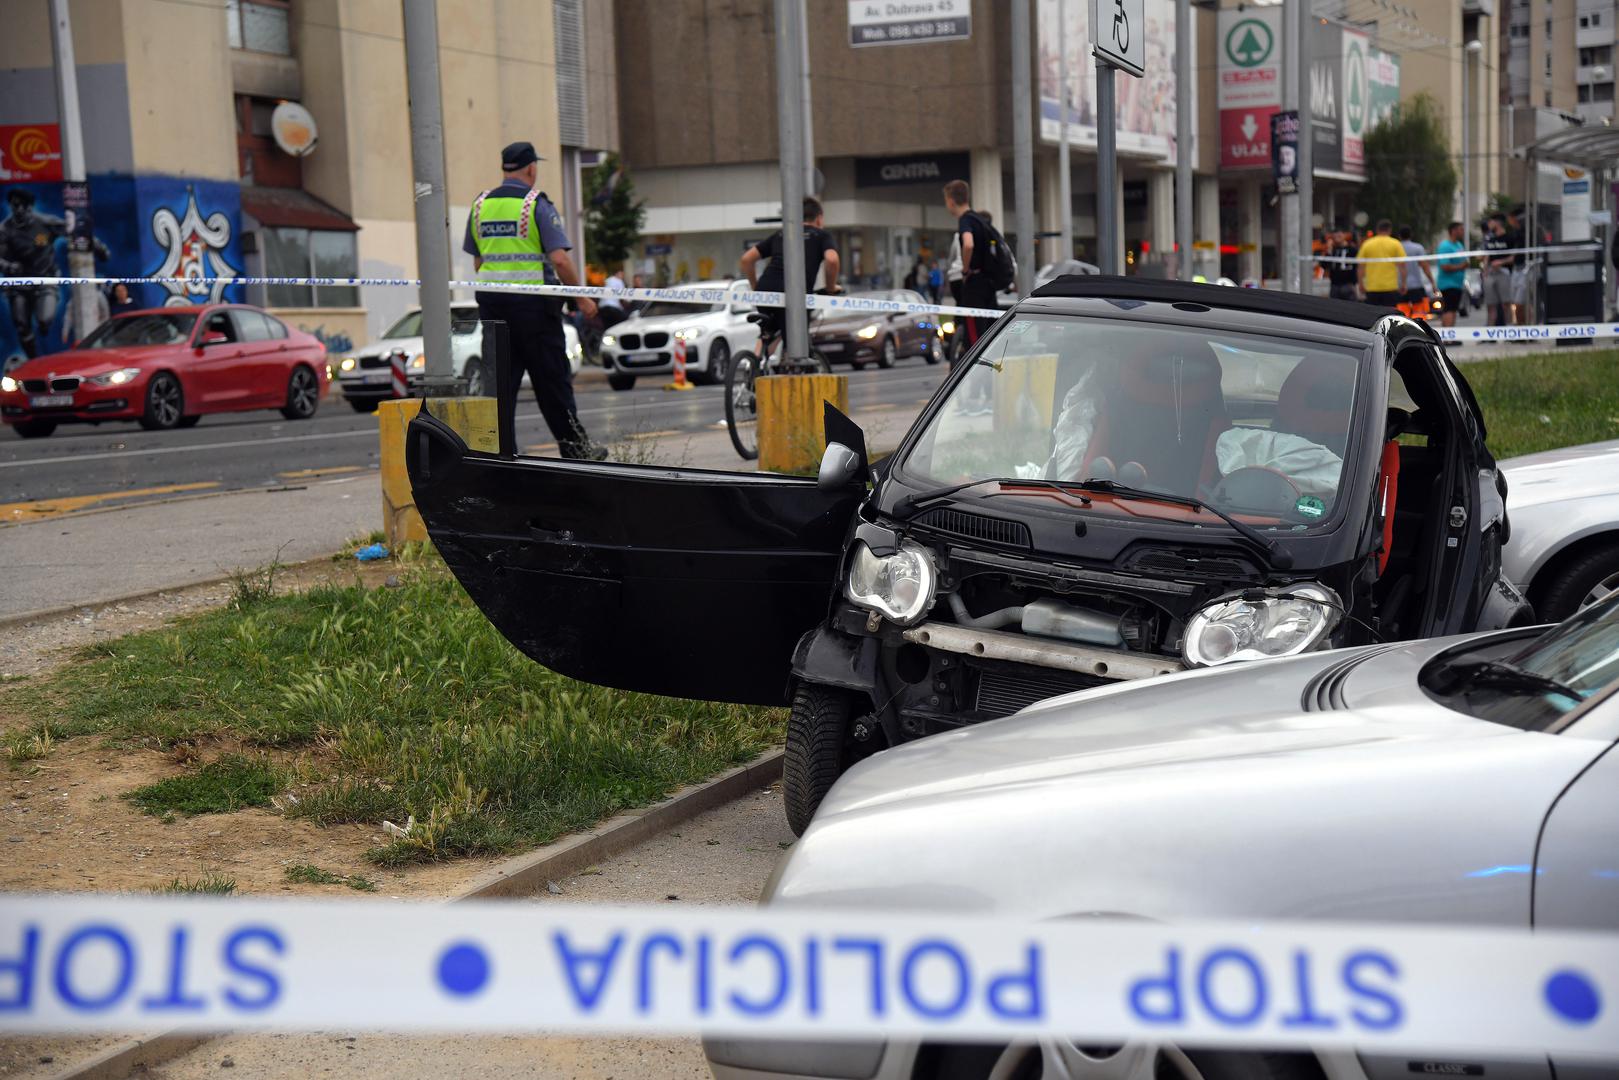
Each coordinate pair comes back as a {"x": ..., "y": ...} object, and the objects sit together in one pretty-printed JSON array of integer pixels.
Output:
[{"x": 516, "y": 234}]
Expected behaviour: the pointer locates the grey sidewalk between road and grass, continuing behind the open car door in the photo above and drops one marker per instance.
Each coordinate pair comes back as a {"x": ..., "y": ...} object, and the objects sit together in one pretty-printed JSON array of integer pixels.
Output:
[{"x": 104, "y": 556}]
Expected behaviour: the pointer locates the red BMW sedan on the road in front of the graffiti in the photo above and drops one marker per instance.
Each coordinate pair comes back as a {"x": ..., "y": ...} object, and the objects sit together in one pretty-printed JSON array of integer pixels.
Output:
[{"x": 166, "y": 368}]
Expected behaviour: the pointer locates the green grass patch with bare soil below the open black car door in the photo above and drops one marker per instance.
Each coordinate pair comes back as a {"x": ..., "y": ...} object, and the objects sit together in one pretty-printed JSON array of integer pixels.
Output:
[{"x": 399, "y": 704}]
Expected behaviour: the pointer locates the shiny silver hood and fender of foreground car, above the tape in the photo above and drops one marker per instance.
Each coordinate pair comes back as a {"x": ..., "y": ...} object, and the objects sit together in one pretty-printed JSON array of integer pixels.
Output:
[{"x": 1212, "y": 794}]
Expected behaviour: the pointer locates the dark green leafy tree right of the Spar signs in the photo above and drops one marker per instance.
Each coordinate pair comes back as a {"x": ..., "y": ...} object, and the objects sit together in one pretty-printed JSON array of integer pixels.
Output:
[{"x": 1411, "y": 177}]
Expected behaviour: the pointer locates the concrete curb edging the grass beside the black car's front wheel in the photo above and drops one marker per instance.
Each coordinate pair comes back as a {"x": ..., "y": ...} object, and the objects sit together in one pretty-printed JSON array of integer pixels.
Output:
[{"x": 519, "y": 877}]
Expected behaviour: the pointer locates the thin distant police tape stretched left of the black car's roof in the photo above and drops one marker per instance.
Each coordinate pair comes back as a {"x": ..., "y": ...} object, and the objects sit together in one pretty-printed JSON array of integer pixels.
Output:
[{"x": 679, "y": 296}]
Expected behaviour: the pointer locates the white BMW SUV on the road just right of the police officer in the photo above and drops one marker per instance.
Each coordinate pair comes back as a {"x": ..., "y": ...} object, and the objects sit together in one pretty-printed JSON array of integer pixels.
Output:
[{"x": 645, "y": 342}]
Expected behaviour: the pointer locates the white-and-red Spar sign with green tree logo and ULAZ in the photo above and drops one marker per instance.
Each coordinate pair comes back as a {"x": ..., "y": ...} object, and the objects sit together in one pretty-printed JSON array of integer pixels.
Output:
[{"x": 1251, "y": 85}]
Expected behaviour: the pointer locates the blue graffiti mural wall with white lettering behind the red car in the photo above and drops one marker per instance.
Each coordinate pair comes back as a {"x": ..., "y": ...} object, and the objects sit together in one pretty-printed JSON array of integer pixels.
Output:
[{"x": 143, "y": 227}]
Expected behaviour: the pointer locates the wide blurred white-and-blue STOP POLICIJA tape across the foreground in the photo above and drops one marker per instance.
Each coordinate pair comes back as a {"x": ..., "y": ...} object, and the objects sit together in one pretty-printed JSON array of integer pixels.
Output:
[{"x": 117, "y": 964}]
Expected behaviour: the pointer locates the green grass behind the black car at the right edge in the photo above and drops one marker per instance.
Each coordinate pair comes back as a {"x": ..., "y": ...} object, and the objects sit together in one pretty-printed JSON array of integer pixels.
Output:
[{"x": 1547, "y": 401}]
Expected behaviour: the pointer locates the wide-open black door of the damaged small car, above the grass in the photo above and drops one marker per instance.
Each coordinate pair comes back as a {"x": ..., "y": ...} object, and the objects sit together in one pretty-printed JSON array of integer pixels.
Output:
[{"x": 676, "y": 582}]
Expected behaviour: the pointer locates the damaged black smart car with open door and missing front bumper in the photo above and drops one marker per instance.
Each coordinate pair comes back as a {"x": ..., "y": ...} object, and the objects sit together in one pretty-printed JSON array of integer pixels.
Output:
[{"x": 1123, "y": 480}]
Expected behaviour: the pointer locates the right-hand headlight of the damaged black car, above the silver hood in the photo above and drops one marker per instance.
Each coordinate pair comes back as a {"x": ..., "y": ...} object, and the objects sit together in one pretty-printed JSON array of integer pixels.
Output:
[{"x": 1262, "y": 624}]
